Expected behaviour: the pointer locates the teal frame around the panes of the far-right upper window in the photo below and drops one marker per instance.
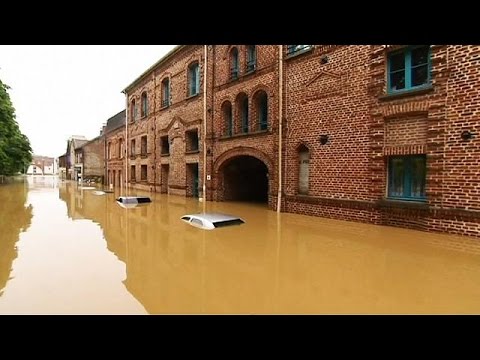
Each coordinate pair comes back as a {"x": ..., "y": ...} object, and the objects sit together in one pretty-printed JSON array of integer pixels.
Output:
[{"x": 407, "y": 69}]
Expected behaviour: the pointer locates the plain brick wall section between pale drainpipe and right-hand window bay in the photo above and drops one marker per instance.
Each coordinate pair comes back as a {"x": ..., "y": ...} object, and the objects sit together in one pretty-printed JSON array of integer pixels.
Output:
[{"x": 329, "y": 99}]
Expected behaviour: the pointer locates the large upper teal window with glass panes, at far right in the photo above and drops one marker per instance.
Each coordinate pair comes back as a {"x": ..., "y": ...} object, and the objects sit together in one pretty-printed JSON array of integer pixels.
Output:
[{"x": 408, "y": 69}]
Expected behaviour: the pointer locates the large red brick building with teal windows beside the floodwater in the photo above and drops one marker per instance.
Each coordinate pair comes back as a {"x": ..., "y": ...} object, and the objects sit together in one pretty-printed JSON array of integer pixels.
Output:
[{"x": 373, "y": 133}]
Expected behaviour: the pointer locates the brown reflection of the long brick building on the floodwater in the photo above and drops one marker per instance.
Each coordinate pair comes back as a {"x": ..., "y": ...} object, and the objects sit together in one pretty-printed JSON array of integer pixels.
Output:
[{"x": 279, "y": 263}]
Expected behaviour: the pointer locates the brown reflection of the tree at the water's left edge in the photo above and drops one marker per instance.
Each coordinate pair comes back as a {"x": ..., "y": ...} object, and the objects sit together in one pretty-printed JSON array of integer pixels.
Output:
[{"x": 15, "y": 217}]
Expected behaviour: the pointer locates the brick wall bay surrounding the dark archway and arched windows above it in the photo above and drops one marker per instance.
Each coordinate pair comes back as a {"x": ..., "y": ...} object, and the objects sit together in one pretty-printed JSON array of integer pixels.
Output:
[{"x": 261, "y": 144}]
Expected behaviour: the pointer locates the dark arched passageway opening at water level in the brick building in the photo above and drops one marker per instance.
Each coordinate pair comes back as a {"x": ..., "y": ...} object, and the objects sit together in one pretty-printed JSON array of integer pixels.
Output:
[{"x": 245, "y": 178}]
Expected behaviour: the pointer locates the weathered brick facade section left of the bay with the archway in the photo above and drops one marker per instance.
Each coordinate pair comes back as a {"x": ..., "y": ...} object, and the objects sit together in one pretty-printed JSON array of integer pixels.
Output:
[{"x": 167, "y": 119}]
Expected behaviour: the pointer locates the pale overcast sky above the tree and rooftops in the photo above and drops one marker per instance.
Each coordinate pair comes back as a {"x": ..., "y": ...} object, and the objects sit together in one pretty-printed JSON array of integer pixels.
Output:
[{"x": 64, "y": 90}]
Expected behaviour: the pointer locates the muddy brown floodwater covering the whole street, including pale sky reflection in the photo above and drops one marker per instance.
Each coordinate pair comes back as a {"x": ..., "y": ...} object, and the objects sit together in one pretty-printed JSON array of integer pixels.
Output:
[{"x": 66, "y": 250}]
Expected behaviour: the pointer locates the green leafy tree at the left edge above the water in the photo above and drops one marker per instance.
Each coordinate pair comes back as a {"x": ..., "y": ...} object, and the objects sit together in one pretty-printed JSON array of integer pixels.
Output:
[{"x": 15, "y": 150}]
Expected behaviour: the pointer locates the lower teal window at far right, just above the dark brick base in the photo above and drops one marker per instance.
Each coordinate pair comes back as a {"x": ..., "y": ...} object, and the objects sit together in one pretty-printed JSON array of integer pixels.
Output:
[{"x": 406, "y": 177}]
